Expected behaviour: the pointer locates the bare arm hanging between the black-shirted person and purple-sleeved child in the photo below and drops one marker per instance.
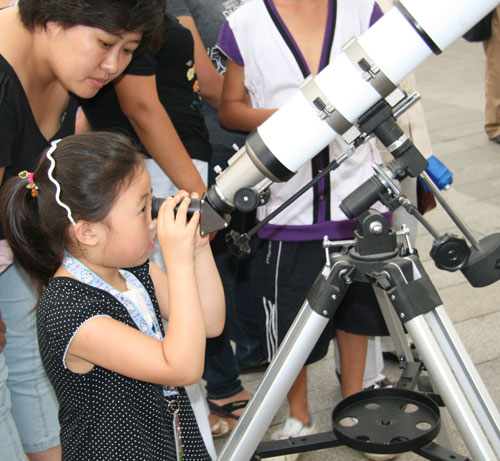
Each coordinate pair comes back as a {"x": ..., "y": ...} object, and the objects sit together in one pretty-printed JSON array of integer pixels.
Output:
[{"x": 209, "y": 79}]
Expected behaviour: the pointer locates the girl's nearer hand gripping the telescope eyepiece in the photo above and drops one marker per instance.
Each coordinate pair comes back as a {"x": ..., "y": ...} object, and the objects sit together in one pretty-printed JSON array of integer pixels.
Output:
[{"x": 178, "y": 235}]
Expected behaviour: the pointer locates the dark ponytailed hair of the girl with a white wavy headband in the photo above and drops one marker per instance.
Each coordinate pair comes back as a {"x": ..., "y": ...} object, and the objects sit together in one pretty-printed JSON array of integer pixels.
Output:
[{"x": 92, "y": 169}]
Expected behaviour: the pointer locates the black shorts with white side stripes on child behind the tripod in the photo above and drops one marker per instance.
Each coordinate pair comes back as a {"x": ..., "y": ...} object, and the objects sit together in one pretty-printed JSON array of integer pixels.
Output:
[{"x": 284, "y": 274}]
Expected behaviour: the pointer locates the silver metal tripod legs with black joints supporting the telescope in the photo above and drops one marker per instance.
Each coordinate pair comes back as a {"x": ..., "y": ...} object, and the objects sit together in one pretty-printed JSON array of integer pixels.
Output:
[{"x": 415, "y": 303}]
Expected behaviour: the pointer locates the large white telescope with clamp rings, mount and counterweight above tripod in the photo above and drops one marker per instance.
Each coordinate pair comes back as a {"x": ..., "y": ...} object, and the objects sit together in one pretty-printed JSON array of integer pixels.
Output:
[{"x": 353, "y": 98}]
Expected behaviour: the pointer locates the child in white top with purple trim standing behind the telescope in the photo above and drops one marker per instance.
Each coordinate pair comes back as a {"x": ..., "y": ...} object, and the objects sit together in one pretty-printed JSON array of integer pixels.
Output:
[{"x": 272, "y": 46}]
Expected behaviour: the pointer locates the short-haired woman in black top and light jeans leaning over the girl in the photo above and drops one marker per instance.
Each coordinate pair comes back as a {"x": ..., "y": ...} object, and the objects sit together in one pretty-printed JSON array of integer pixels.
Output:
[{"x": 50, "y": 51}]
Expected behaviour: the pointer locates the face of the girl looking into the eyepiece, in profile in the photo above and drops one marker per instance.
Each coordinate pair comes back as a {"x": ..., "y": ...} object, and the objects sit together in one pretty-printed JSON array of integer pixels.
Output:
[{"x": 130, "y": 229}]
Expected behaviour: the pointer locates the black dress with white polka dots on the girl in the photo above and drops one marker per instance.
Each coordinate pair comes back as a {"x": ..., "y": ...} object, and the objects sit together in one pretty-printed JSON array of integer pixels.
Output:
[{"x": 104, "y": 415}]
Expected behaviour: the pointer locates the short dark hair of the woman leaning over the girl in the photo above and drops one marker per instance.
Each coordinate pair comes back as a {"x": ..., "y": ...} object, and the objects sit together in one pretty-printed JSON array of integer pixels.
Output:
[{"x": 113, "y": 16}]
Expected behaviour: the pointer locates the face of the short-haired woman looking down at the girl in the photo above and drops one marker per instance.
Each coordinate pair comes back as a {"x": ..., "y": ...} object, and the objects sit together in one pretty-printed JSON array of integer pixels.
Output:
[{"x": 85, "y": 58}]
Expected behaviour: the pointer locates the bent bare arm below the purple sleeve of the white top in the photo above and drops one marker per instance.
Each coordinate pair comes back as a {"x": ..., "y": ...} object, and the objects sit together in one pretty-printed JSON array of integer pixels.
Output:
[{"x": 235, "y": 111}]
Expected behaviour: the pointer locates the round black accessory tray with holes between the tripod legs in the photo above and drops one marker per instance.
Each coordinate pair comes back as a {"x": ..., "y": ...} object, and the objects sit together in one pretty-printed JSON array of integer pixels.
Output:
[{"x": 386, "y": 421}]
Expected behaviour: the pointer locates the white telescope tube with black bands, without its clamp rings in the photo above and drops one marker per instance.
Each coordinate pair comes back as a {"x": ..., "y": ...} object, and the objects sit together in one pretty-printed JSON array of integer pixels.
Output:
[{"x": 396, "y": 44}]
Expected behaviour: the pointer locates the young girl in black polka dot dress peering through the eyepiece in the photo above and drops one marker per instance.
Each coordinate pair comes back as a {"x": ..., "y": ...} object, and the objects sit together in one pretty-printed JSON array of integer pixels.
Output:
[{"x": 82, "y": 216}]
